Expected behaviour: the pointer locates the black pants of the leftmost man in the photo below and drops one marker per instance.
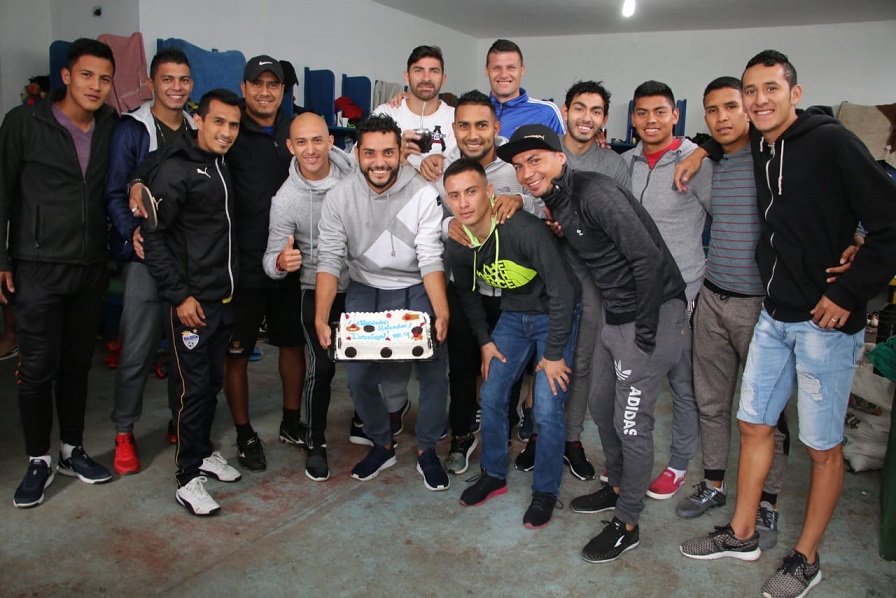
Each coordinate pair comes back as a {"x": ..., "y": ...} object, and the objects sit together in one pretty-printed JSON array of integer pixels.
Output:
[{"x": 57, "y": 309}]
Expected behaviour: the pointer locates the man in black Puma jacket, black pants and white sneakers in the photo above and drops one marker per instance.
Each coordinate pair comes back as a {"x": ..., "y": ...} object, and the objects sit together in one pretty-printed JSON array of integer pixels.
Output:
[{"x": 193, "y": 259}]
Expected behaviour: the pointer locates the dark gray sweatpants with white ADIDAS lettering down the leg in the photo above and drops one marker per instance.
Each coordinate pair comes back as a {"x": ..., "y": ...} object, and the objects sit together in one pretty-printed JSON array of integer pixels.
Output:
[{"x": 622, "y": 405}]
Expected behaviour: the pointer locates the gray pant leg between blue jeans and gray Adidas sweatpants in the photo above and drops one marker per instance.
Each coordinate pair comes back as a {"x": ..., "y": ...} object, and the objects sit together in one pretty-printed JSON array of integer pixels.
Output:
[{"x": 590, "y": 323}]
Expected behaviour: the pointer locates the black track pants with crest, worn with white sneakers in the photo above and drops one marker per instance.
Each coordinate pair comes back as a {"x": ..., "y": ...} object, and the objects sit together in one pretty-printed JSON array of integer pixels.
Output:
[{"x": 197, "y": 372}]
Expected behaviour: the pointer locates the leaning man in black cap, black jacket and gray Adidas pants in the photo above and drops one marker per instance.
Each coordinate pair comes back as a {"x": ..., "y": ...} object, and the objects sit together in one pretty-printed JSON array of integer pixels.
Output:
[{"x": 644, "y": 311}]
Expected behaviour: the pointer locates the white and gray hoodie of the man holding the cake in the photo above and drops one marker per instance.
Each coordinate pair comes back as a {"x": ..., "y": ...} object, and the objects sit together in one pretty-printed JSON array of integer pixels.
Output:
[{"x": 389, "y": 240}]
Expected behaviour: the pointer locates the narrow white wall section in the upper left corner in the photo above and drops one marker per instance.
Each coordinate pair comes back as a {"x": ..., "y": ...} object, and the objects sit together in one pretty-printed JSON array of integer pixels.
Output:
[{"x": 25, "y": 36}]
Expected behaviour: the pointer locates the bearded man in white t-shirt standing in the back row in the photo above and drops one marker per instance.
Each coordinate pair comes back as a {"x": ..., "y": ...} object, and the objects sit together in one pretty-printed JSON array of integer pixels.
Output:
[{"x": 422, "y": 109}]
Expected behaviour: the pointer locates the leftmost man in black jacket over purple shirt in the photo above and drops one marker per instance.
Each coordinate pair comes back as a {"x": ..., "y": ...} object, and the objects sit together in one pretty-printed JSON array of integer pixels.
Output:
[{"x": 53, "y": 263}]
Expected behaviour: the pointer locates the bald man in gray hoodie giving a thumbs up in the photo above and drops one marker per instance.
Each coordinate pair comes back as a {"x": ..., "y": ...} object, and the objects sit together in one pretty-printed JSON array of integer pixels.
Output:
[{"x": 317, "y": 167}]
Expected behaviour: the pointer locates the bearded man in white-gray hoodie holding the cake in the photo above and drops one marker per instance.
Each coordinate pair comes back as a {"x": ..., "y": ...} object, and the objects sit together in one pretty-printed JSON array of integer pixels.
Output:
[{"x": 383, "y": 222}]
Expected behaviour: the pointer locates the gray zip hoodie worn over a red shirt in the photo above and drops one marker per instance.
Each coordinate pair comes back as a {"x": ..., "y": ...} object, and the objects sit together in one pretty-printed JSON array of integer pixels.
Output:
[{"x": 680, "y": 217}]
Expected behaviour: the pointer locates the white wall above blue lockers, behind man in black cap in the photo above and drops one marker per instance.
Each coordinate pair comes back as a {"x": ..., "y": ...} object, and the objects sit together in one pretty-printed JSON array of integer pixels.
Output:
[{"x": 355, "y": 37}]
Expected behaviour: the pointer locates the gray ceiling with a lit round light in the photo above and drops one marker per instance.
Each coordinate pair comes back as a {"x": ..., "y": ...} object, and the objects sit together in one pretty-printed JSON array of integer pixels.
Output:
[{"x": 523, "y": 18}]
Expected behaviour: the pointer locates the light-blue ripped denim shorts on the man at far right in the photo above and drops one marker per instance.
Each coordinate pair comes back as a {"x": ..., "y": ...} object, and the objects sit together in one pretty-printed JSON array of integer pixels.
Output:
[{"x": 819, "y": 362}]
